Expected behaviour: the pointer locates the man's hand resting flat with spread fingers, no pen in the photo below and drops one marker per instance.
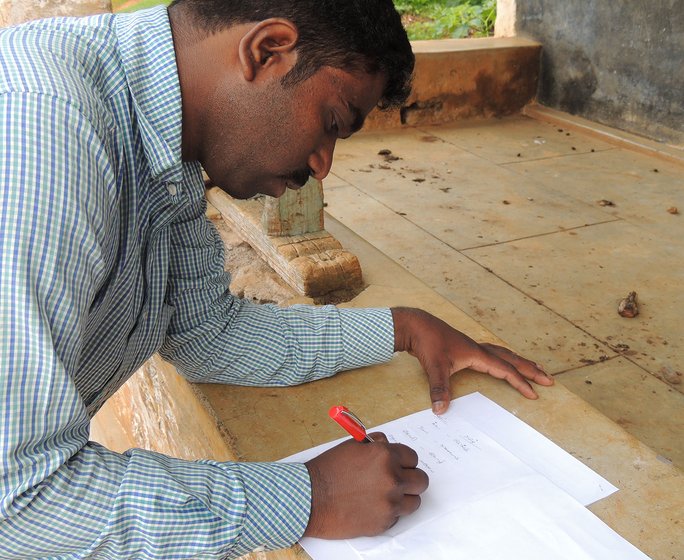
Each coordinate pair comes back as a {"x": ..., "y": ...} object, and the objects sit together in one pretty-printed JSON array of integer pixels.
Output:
[{"x": 443, "y": 351}]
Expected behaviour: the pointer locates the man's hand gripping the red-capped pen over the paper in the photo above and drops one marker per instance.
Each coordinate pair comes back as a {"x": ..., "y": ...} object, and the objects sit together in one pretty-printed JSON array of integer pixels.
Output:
[{"x": 361, "y": 489}]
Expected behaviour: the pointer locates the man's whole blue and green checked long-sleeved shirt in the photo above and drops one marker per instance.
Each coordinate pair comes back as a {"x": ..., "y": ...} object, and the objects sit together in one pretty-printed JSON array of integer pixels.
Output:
[{"x": 106, "y": 257}]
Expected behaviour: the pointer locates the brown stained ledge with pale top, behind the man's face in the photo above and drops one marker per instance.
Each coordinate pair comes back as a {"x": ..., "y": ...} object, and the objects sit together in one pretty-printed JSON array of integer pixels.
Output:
[{"x": 466, "y": 78}]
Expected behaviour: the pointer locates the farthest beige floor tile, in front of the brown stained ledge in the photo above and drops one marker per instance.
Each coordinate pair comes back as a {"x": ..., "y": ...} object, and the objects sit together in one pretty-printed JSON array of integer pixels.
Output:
[{"x": 515, "y": 139}]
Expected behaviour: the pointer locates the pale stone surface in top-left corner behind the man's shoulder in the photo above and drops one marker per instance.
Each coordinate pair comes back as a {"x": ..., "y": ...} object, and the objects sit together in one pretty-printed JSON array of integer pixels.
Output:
[{"x": 17, "y": 11}]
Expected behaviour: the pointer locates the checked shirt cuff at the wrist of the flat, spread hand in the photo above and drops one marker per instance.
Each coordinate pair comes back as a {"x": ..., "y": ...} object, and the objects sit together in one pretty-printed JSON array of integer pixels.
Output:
[{"x": 368, "y": 336}]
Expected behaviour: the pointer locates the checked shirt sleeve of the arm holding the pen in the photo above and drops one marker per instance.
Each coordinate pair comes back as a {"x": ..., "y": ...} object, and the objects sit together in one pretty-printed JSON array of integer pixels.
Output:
[{"x": 61, "y": 495}]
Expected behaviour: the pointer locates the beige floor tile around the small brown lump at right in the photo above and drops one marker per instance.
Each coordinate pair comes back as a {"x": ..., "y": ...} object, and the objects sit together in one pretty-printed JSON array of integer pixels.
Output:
[{"x": 583, "y": 274}]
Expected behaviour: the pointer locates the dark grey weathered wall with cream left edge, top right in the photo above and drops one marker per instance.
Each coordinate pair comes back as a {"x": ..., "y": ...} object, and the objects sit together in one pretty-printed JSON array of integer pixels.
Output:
[{"x": 617, "y": 63}]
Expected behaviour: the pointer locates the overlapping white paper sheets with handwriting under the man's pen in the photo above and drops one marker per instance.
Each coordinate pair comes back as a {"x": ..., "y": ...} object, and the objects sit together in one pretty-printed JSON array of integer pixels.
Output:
[{"x": 487, "y": 500}]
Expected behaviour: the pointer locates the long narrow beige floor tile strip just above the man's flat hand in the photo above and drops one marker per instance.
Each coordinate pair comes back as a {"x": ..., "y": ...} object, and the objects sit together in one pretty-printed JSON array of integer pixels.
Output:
[{"x": 501, "y": 308}]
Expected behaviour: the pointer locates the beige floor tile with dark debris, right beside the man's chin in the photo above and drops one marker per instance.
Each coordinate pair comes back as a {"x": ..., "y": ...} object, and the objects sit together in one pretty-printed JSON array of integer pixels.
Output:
[{"x": 464, "y": 200}]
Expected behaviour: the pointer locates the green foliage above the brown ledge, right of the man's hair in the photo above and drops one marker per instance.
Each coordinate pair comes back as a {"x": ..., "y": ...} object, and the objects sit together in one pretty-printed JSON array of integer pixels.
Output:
[{"x": 435, "y": 19}]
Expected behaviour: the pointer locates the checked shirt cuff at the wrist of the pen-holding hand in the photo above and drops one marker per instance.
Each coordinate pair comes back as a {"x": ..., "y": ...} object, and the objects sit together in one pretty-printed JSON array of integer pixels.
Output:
[{"x": 277, "y": 504}]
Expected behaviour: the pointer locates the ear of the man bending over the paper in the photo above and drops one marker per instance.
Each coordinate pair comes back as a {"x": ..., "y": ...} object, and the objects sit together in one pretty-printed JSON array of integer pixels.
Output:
[{"x": 269, "y": 45}]
